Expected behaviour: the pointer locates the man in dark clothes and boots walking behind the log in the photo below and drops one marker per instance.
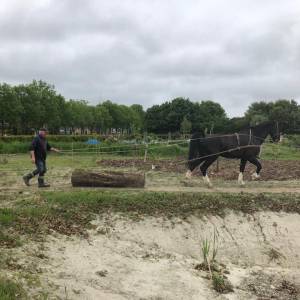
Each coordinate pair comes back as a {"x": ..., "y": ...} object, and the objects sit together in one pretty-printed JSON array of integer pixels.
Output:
[{"x": 38, "y": 152}]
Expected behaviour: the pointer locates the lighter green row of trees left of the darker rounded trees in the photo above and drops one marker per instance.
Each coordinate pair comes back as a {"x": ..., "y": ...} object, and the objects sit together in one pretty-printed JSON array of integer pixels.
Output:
[{"x": 25, "y": 108}]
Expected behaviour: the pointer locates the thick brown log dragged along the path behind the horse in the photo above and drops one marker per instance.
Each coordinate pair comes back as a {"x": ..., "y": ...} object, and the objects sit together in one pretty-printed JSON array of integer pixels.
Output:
[{"x": 84, "y": 178}]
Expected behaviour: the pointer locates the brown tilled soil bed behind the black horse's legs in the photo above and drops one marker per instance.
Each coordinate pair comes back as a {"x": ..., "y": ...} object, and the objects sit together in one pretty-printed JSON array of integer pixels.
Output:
[{"x": 228, "y": 169}]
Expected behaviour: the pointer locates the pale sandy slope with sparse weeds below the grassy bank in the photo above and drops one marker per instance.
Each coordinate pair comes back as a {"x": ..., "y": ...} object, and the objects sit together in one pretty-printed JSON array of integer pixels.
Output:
[{"x": 155, "y": 258}]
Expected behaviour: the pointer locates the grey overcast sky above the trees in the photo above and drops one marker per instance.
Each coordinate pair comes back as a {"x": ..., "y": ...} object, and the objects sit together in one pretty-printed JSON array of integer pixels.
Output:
[{"x": 233, "y": 52}]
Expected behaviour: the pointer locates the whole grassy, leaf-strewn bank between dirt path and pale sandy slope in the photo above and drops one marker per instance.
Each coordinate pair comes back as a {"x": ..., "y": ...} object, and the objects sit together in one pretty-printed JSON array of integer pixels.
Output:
[{"x": 71, "y": 212}]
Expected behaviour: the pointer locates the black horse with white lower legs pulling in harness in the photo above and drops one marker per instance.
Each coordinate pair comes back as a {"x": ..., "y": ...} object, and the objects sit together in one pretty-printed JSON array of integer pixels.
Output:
[{"x": 244, "y": 145}]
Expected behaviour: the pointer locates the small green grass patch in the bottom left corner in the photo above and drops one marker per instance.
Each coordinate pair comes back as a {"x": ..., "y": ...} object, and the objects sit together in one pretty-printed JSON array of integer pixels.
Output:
[{"x": 10, "y": 290}]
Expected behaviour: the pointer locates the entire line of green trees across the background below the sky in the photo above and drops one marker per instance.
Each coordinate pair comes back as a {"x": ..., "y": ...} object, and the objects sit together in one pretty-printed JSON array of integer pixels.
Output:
[{"x": 25, "y": 108}]
